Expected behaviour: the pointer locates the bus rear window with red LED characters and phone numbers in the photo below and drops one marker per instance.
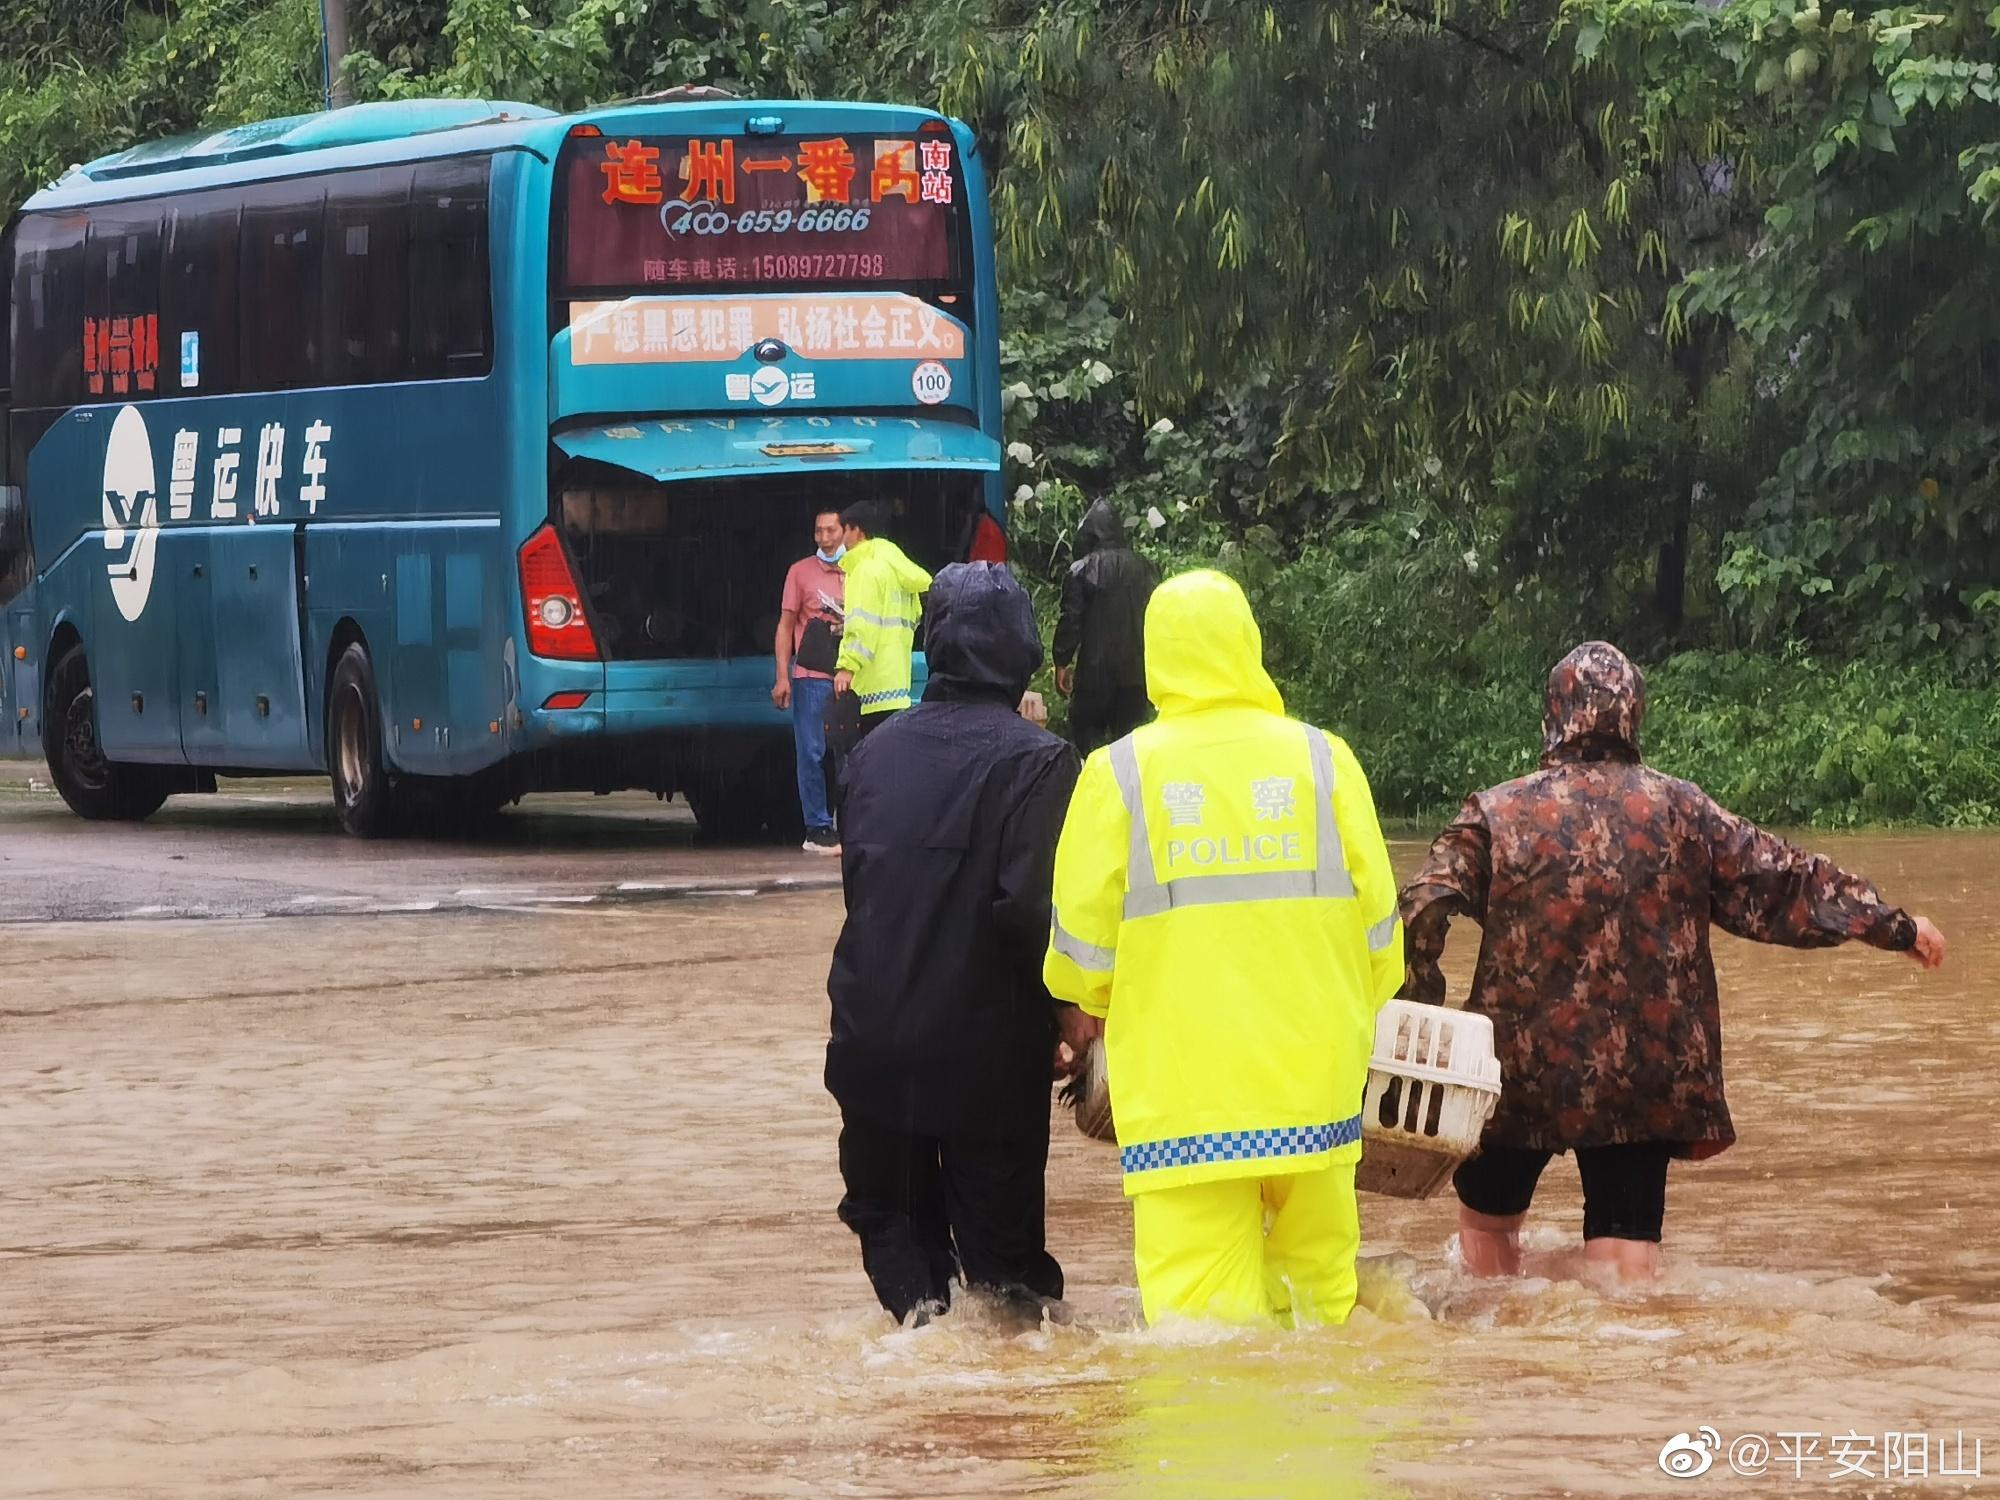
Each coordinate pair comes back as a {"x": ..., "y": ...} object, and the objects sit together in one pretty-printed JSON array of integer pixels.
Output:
[{"x": 763, "y": 211}]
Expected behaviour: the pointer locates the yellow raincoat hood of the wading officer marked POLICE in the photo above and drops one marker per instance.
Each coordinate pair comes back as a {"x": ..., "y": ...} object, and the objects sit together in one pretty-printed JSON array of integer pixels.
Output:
[{"x": 1203, "y": 649}]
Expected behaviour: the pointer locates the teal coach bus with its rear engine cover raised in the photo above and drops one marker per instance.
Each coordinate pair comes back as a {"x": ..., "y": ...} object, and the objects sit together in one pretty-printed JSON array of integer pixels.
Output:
[{"x": 459, "y": 451}]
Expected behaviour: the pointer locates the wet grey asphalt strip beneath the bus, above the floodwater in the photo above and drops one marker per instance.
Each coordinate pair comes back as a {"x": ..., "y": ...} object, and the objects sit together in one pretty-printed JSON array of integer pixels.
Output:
[{"x": 273, "y": 849}]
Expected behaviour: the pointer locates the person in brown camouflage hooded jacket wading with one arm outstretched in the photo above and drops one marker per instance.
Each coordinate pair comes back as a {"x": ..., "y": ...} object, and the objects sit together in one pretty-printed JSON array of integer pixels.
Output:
[{"x": 1595, "y": 883}]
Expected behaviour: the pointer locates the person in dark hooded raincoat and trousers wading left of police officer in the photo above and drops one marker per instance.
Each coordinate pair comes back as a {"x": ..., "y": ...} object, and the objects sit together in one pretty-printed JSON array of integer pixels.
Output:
[{"x": 943, "y": 1033}]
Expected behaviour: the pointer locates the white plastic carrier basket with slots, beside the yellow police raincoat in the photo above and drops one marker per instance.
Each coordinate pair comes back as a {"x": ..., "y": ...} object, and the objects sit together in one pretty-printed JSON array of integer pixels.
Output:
[{"x": 1433, "y": 1085}]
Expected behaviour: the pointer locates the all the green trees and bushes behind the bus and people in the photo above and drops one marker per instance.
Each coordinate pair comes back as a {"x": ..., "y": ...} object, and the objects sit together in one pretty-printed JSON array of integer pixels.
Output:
[{"x": 1457, "y": 333}]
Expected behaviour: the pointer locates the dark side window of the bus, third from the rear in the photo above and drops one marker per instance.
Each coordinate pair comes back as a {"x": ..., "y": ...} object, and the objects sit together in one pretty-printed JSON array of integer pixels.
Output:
[{"x": 281, "y": 285}]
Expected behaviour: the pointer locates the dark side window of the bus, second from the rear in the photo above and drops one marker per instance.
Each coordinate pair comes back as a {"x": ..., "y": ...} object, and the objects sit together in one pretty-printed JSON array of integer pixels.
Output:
[{"x": 367, "y": 277}]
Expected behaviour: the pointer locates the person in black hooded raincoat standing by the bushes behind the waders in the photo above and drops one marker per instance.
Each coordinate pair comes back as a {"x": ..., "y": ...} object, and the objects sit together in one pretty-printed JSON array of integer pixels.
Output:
[{"x": 1099, "y": 649}]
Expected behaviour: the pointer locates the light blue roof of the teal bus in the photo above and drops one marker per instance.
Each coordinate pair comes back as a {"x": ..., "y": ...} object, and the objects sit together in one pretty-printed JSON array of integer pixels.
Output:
[{"x": 389, "y": 131}]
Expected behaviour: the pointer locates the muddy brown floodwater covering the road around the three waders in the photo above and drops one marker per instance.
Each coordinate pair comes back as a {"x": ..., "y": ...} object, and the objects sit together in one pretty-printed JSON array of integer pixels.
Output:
[{"x": 541, "y": 1205}]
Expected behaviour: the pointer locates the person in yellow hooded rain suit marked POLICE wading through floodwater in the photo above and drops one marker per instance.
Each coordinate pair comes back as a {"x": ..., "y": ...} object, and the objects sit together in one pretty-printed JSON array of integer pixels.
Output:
[{"x": 1225, "y": 907}]
